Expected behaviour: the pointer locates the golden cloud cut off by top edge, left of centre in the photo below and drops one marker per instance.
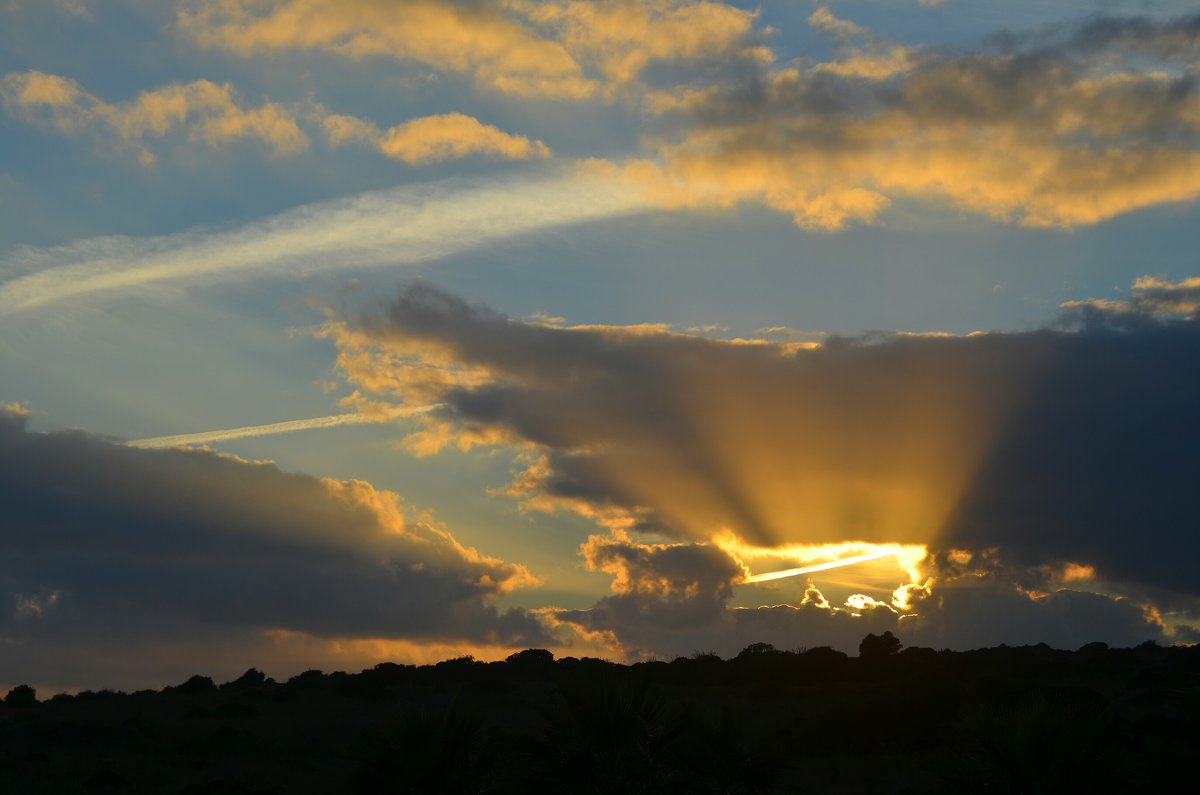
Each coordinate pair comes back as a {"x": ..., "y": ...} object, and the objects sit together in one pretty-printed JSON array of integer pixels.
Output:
[{"x": 565, "y": 51}]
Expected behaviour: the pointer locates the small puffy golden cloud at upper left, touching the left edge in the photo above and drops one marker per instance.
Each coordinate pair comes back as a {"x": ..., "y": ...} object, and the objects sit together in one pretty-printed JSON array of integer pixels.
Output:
[{"x": 203, "y": 111}]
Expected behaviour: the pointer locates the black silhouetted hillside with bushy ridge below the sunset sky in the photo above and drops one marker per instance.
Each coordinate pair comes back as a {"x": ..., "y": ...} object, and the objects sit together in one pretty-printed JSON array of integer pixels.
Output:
[{"x": 1028, "y": 720}]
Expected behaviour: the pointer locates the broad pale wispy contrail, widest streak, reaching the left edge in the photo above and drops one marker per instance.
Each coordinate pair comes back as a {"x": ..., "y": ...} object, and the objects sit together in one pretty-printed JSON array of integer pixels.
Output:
[{"x": 398, "y": 226}]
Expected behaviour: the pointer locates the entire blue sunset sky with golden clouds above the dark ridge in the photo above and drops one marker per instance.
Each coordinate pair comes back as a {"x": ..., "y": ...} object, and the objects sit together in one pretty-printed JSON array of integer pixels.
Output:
[{"x": 344, "y": 332}]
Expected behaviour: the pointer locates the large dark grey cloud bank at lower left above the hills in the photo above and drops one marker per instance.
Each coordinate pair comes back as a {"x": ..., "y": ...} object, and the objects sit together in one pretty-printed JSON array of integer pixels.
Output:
[{"x": 104, "y": 546}]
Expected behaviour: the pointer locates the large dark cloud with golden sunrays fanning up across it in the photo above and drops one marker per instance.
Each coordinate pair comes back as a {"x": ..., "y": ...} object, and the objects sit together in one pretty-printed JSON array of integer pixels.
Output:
[{"x": 1063, "y": 445}]
